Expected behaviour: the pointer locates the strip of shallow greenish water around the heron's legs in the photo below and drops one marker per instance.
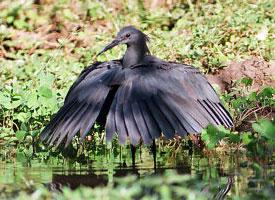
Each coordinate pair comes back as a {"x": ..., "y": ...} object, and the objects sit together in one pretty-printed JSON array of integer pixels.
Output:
[{"x": 248, "y": 177}]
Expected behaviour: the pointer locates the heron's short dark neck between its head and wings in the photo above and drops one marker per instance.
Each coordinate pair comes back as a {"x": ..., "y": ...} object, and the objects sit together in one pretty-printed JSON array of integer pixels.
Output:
[{"x": 134, "y": 55}]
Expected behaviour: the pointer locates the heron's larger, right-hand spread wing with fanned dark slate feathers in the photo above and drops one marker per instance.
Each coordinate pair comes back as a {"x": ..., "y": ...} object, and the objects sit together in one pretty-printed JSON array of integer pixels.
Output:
[{"x": 163, "y": 97}]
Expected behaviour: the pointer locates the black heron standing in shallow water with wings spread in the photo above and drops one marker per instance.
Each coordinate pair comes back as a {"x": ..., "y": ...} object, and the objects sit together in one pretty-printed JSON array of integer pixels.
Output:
[{"x": 139, "y": 97}]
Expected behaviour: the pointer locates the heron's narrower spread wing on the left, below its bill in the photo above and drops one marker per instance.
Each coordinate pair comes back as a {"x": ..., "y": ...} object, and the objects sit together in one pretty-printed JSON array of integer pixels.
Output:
[{"x": 83, "y": 103}]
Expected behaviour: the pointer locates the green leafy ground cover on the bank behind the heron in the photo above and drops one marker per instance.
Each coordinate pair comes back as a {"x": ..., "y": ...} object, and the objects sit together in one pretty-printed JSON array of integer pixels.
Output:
[{"x": 45, "y": 44}]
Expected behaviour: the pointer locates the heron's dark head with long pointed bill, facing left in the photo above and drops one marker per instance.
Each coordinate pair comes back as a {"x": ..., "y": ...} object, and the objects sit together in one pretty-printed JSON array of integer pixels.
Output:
[{"x": 128, "y": 35}]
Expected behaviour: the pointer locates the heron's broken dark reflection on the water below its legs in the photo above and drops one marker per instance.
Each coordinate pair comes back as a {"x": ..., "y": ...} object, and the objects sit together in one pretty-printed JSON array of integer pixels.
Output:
[{"x": 95, "y": 178}]
